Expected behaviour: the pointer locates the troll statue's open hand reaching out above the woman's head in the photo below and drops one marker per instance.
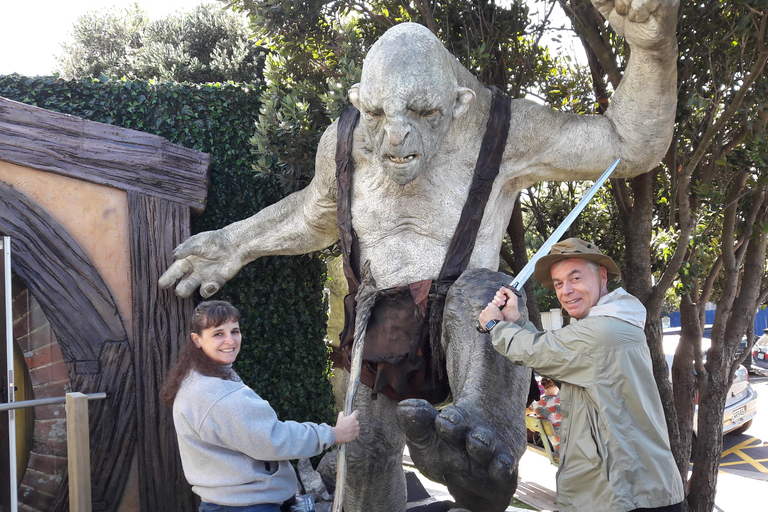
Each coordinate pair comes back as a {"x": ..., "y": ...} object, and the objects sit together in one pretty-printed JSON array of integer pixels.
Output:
[{"x": 207, "y": 260}]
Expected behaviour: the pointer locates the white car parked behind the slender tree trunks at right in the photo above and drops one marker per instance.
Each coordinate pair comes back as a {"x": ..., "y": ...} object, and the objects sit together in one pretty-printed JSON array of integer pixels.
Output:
[{"x": 741, "y": 404}]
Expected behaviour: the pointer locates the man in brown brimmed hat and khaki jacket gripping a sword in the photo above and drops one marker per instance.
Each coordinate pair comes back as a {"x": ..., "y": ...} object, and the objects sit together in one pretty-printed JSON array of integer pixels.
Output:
[{"x": 615, "y": 454}]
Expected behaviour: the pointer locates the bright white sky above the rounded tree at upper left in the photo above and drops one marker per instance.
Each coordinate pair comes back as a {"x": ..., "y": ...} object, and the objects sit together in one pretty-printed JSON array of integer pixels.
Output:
[{"x": 31, "y": 34}]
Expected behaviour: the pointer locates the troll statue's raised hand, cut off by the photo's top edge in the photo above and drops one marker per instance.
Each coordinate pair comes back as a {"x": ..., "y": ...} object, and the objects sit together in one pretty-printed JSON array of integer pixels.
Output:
[{"x": 646, "y": 24}]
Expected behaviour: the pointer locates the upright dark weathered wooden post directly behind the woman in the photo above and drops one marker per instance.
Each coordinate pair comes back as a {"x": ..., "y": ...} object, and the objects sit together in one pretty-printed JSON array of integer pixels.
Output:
[{"x": 159, "y": 327}]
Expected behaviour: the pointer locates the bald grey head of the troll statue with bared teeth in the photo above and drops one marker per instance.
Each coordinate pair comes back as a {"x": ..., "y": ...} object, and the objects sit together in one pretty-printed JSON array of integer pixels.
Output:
[{"x": 408, "y": 97}]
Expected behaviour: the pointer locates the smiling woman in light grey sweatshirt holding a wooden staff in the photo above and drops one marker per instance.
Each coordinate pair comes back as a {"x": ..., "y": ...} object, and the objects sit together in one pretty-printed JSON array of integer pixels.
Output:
[{"x": 234, "y": 450}]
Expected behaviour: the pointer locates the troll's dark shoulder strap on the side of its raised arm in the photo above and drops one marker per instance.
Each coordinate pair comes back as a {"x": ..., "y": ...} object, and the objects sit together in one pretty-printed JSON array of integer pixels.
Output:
[{"x": 486, "y": 170}]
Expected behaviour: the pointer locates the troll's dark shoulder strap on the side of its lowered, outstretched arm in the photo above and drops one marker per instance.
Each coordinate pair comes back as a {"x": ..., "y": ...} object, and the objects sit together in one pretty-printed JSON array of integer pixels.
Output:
[{"x": 350, "y": 250}]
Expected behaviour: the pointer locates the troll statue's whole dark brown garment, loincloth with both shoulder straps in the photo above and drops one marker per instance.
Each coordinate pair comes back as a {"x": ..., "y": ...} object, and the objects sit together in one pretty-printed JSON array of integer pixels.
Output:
[{"x": 403, "y": 332}]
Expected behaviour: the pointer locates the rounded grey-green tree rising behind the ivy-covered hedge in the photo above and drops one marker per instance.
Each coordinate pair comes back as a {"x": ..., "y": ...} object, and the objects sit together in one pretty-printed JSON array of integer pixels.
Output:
[{"x": 206, "y": 44}]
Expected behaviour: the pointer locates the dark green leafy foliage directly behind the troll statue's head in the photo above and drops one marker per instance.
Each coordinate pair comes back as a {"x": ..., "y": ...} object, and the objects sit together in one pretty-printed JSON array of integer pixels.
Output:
[{"x": 317, "y": 50}]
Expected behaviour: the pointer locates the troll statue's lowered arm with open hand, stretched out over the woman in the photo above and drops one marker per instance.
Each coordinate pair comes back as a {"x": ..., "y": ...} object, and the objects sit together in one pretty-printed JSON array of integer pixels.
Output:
[{"x": 304, "y": 221}]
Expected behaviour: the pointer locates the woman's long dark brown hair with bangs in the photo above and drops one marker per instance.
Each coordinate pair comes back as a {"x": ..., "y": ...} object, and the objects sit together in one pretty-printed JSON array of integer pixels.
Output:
[{"x": 207, "y": 314}]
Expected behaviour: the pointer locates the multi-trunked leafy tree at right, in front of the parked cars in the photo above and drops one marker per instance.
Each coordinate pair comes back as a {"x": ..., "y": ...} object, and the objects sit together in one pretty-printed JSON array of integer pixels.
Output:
[{"x": 704, "y": 212}]
